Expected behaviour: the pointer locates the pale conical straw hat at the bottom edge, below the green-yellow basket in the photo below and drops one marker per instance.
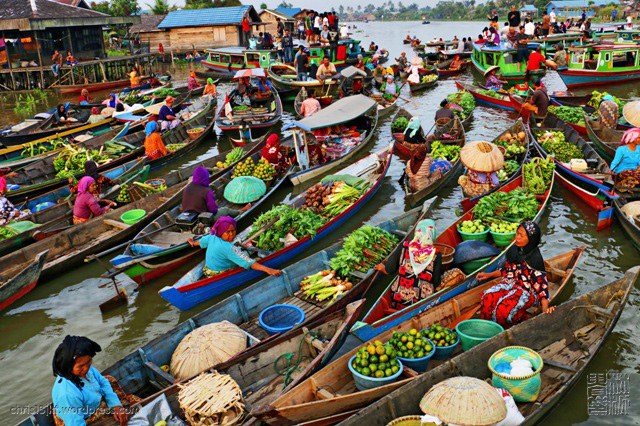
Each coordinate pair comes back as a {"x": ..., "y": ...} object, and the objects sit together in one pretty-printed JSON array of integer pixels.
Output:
[{"x": 464, "y": 401}]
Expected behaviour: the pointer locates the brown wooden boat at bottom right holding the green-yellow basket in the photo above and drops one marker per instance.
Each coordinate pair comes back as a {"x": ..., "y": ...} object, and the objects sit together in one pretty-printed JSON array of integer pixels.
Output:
[{"x": 573, "y": 335}]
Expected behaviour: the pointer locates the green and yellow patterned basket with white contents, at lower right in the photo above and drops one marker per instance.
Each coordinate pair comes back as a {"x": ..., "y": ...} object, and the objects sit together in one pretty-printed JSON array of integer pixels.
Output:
[{"x": 525, "y": 388}]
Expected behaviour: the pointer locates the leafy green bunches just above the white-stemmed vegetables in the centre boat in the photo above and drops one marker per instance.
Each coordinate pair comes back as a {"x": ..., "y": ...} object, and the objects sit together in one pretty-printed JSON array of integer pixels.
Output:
[{"x": 362, "y": 250}]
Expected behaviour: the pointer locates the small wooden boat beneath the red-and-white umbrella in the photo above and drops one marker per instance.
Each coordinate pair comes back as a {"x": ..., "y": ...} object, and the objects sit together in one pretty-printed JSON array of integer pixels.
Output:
[{"x": 263, "y": 117}]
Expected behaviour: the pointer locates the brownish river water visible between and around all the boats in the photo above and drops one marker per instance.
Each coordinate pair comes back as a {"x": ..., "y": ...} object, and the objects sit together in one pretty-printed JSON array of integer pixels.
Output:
[{"x": 68, "y": 304}]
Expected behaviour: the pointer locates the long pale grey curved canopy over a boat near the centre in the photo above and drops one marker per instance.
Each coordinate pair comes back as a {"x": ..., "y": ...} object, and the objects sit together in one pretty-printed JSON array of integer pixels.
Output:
[{"x": 341, "y": 111}]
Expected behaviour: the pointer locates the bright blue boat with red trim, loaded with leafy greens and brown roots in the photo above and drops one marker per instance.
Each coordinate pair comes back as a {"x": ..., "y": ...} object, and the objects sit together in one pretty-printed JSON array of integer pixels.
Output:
[{"x": 192, "y": 289}]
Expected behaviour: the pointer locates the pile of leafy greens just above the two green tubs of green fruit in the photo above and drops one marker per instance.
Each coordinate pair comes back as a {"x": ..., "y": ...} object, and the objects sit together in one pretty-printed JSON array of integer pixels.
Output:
[{"x": 514, "y": 206}]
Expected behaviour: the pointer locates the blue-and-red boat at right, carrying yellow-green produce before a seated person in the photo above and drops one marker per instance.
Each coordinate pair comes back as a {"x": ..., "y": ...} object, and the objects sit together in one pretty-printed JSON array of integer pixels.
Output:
[{"x": 594, "y": 186}]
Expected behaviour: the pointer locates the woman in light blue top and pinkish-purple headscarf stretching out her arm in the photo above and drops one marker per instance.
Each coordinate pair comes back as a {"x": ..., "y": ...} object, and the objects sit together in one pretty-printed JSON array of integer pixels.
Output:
[{"x": 222, "y": 254}]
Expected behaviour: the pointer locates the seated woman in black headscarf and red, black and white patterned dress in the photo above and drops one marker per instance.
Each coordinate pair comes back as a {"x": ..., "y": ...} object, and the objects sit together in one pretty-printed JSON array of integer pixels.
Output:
[{"x": 524, "y": 281}]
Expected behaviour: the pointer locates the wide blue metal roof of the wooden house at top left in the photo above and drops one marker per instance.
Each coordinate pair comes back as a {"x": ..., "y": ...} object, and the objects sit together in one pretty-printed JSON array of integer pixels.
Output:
[{"x": 199, "y": 17}]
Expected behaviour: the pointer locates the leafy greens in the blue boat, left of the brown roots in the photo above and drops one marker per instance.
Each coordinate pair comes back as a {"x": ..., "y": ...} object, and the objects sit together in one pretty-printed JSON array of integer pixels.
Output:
[{"x": 298, "y": 222}]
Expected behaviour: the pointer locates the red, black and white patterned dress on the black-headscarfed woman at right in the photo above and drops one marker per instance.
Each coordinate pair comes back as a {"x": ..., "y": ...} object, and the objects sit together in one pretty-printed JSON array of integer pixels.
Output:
[{"x": 521, "y": 288}]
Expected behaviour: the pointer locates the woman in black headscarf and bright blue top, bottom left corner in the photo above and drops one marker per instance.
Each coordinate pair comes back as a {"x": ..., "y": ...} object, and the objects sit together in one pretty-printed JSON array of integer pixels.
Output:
[{"x": 81, "y": 395}]
